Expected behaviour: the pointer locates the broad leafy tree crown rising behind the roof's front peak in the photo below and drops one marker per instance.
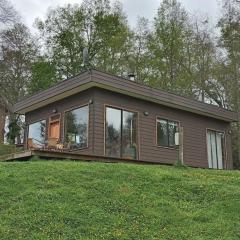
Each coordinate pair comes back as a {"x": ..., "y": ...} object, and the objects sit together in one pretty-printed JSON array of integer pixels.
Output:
[{"x": 94, "y": 24}]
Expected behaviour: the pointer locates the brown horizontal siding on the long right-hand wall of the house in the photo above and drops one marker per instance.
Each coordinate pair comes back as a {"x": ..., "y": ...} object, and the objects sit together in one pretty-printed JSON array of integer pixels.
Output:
[{"x": 194, "y": 130}]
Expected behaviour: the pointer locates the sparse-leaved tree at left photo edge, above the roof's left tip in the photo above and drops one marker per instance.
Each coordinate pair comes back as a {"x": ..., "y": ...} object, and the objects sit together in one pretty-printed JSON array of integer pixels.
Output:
[{"x": 18, "y": 53}]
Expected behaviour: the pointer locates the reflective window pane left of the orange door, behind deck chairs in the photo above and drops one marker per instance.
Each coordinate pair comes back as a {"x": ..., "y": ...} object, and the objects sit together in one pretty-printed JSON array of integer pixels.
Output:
[{"x": 36, "y": 133}]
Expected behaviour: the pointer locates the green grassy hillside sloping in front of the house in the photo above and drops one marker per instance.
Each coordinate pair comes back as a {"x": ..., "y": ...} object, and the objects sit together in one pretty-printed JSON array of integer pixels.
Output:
[{"x": 79, "y": 200}]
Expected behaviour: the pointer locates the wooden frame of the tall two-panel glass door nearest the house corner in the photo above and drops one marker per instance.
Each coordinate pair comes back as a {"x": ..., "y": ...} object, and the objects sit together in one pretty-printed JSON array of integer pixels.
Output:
[{"x": 104, "y": 129}]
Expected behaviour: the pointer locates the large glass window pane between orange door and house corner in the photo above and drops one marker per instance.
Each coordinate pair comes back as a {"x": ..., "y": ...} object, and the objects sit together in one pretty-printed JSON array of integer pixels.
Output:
[{"x": 76, "y": 128}]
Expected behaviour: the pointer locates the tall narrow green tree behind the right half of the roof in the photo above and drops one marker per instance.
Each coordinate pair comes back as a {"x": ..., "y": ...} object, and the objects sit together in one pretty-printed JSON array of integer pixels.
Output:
[{"x": 168, "y": 45}]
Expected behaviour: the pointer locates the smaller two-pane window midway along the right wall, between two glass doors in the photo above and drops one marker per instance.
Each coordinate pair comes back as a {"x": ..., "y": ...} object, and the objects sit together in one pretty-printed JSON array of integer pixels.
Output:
[{"x": 166, "y": 130}]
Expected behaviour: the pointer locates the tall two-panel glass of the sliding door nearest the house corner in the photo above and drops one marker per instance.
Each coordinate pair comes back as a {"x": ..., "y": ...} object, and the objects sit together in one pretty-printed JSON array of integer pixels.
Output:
[{"x": 121, "y": 133}]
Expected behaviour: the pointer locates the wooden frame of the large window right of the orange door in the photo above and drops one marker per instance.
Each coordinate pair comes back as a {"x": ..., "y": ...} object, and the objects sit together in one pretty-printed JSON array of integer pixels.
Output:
[{"x": 64, "y": 125}]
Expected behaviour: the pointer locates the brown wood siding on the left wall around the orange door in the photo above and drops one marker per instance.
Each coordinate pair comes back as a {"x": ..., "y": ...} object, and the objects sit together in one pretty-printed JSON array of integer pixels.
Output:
[{"x": 62, "y": 106}]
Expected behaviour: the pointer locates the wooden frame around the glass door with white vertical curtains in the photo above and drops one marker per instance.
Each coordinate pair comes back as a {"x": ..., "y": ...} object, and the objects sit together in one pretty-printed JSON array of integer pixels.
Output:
[{"x": 225, "y": 152}]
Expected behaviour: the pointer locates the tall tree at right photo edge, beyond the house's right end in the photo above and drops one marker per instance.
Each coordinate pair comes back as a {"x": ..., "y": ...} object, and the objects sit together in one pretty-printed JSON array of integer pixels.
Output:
[{"x": 229, "y": 25}]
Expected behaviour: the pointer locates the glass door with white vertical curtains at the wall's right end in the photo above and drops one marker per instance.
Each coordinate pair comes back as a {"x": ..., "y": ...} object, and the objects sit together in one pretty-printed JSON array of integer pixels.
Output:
[{"x": 215, "y": 148}]
